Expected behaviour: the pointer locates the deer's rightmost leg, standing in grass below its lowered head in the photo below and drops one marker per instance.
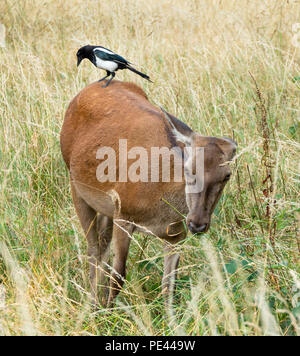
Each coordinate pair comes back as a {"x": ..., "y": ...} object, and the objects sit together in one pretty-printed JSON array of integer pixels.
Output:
[{"x": 171, "y": 261}]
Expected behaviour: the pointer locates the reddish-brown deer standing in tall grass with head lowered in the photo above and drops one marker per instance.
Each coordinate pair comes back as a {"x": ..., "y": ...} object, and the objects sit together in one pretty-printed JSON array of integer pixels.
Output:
[{"x": 110, "y": 211}]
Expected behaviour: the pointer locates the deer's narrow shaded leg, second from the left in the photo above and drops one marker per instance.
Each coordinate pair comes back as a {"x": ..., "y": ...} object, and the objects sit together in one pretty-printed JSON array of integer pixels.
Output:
[{"x": 105, "y": 228}]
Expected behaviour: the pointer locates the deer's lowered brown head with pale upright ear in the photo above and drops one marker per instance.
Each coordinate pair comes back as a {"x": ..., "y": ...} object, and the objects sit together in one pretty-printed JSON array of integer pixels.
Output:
[{"x": 206, "y": 171}]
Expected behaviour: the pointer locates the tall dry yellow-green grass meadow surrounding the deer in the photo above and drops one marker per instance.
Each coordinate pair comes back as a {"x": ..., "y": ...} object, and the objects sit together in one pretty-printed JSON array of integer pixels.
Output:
[{"x": 226, "y": 68}]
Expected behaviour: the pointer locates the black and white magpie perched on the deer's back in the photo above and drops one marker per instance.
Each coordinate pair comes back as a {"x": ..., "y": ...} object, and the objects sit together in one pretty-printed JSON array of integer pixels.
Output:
[{"x": 104, "y": 58}]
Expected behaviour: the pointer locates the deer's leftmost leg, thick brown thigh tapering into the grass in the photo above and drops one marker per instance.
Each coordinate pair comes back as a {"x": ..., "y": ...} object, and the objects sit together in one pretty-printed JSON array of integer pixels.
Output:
[{"x": 88, "y": 220}]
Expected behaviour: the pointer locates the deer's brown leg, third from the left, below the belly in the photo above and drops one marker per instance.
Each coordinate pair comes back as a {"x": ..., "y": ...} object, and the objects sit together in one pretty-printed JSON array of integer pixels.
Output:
[{"x": 121, "y": 242}]
